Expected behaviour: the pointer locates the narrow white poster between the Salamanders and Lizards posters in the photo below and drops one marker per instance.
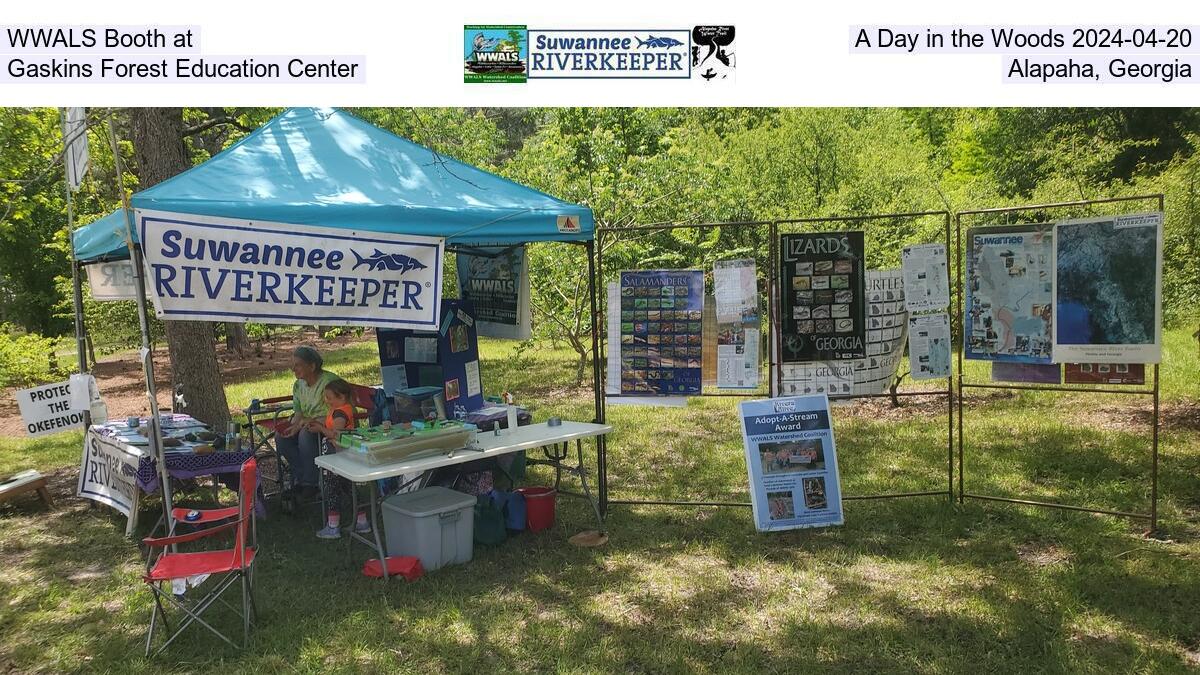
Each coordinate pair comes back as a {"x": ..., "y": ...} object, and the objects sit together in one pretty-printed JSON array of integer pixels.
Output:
[{"x": 736, "y": 295}]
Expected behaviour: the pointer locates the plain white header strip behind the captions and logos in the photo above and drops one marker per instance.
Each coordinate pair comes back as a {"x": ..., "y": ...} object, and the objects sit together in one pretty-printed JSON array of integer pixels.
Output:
[{"x": 788, "y": 55}]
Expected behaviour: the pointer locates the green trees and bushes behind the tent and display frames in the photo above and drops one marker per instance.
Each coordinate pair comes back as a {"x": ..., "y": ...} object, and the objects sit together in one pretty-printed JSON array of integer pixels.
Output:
[{"x": 637, "y": 166}]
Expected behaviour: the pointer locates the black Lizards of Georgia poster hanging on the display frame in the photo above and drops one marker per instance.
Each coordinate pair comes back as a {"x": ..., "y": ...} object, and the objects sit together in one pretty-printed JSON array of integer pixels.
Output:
[{"x": 823, "y": 297}]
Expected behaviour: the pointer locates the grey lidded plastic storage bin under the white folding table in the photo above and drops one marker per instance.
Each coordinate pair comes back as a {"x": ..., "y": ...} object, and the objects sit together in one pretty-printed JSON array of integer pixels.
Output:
[{"x": 434, "y": 524}]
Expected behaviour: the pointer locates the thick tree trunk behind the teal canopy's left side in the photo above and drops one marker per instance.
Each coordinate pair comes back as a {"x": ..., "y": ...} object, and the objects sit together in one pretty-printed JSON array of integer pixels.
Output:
[{"x": 159, "y": 148}]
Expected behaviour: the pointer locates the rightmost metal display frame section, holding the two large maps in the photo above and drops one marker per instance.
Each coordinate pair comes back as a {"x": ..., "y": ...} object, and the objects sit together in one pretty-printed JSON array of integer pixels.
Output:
[{"x": 1007, "y": 213}]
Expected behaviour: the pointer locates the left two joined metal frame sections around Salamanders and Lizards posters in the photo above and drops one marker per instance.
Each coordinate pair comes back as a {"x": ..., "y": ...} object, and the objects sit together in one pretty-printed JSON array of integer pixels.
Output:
[{"x": 775, "y": 371}]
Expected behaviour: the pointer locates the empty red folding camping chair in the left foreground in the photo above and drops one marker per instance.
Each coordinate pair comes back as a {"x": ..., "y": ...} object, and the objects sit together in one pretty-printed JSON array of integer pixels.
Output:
[{"x": 229, "y": 566}]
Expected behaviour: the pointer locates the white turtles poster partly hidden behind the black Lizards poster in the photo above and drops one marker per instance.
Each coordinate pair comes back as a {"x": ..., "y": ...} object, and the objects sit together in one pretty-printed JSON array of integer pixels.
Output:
[{"x": 887, "y": 326}]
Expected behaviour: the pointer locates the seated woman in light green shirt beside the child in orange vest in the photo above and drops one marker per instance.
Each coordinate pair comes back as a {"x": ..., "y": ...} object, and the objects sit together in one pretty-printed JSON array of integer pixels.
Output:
[{"x": 297, "y": 444}]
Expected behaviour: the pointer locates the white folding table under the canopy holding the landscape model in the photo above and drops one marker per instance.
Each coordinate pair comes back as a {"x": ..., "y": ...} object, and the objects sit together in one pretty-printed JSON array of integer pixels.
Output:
[{"x": 555, "y": 440}]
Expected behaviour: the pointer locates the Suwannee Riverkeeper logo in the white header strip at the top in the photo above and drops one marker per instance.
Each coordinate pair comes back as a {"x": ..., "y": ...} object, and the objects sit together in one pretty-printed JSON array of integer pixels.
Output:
[{"x": 598, "y": 53}]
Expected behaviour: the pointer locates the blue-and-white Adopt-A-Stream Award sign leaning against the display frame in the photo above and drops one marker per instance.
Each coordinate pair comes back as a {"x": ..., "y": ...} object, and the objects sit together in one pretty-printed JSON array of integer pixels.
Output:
[{"x": 793, "y": 462}]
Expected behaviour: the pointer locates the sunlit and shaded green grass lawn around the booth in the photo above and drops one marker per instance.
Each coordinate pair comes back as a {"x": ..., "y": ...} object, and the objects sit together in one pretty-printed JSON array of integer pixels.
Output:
[{"x": 907, "y": 586}]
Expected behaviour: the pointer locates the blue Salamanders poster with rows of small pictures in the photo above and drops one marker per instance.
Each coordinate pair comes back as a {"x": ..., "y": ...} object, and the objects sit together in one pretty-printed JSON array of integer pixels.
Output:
[{"x": 661, "y": 332}]
